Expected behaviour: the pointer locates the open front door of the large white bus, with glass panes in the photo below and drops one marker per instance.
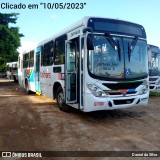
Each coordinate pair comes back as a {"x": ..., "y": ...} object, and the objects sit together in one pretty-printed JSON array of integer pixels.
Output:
[{"x": 70, "y": 73}]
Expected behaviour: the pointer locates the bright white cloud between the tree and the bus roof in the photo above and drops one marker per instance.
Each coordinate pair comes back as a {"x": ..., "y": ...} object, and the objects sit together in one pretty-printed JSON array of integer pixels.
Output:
[{"x": 26, "y": 45}]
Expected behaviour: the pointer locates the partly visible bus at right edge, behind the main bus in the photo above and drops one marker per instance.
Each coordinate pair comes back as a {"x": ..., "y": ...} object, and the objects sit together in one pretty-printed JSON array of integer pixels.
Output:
[{"x": 154, "y": 68}]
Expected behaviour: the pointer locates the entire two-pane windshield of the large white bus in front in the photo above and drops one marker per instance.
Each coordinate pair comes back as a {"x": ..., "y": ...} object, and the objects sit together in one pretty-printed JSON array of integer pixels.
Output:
[{"x": 105, "y": 62}]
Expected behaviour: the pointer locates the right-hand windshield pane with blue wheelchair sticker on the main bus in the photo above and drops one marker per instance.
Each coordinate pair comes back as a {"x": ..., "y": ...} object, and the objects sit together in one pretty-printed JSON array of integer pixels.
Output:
[{"x": 137, "y": 65}]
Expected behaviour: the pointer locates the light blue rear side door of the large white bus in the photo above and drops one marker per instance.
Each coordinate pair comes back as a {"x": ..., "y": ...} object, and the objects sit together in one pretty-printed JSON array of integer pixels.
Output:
[{"x": 37, "y": 72}]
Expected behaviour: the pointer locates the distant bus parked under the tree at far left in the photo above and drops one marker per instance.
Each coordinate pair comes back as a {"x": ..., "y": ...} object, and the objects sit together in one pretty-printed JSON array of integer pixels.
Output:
[{"x": 12, "y": 71}]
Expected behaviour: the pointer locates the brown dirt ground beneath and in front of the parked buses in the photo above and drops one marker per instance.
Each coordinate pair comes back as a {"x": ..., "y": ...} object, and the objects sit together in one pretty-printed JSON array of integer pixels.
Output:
[{"x": 35, "y": 123}]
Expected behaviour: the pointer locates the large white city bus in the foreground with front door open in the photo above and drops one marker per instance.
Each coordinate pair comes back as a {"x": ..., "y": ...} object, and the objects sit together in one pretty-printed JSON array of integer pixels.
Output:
[{"x": 94, "y": 64}]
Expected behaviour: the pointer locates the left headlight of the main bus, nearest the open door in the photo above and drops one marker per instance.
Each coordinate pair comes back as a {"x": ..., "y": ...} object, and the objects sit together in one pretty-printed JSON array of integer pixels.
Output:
[{"x": 96, "y": 91}]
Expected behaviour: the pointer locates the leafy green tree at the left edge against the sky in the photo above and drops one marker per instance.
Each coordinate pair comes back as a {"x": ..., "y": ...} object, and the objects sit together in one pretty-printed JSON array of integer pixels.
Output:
[{"x": 9, "y": 38}]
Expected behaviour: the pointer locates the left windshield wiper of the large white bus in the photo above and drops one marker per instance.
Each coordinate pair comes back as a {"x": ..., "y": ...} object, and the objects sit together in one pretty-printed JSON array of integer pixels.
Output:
[{"x": 114, "y": 44}]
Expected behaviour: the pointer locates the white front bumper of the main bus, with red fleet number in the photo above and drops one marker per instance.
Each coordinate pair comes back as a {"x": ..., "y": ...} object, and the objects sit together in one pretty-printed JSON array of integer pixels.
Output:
[{"x": 93, "y": 103}]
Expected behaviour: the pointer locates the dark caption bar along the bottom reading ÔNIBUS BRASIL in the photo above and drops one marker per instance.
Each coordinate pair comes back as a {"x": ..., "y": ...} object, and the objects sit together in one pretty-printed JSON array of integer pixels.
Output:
[{"x": 79, "y": 153}]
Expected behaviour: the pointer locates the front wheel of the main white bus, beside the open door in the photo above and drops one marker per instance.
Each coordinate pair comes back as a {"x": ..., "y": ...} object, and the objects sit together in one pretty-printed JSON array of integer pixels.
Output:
[{"x": 60, "y": 100}]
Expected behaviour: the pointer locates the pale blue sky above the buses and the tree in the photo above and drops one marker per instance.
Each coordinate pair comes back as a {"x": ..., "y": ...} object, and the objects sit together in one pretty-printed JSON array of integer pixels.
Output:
[{"x": 40, "y": 23}]
